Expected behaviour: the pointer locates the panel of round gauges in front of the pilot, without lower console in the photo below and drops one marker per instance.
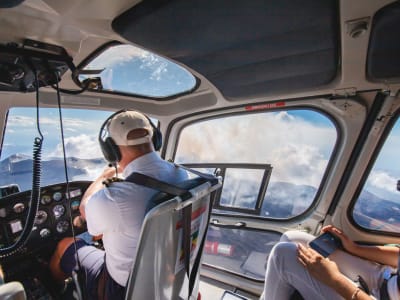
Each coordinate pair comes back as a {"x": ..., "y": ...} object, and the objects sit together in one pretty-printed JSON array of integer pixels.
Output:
[{"x": 58, "y": 208}]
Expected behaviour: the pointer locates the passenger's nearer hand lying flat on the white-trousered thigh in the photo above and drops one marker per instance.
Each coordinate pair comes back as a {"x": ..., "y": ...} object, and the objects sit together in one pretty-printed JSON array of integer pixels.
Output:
[{"x": 319, "y": 267}]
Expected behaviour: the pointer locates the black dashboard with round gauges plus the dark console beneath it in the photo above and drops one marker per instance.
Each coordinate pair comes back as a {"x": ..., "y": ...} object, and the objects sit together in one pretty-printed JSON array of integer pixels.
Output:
[{"x": 57, "y": 214}]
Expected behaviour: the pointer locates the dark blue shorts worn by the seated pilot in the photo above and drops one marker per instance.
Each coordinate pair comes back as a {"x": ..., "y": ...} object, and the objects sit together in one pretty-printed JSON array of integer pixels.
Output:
[{"x": 93, "y": 268}]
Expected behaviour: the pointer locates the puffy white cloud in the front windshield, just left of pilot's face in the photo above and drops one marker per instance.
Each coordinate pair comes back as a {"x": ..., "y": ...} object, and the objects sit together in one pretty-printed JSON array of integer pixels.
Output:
[{"x": 81, "y": 146}]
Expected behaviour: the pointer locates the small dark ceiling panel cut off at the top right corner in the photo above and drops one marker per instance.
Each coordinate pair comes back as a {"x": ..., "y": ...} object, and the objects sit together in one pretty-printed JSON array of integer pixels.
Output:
[{"x": 383, "y": 61}]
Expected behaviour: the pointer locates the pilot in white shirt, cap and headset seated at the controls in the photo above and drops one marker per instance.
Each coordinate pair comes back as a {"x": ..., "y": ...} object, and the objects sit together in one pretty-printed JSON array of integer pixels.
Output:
[{"x": 116, "y": 212}]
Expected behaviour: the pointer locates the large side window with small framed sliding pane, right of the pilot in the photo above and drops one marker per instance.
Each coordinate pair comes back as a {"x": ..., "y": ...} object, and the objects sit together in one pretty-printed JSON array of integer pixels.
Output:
[{"x": 273, "y": 161}]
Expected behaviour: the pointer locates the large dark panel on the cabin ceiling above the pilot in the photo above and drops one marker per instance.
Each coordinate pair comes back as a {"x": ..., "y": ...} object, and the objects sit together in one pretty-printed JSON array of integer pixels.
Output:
[{"x": 245, "y": 48}]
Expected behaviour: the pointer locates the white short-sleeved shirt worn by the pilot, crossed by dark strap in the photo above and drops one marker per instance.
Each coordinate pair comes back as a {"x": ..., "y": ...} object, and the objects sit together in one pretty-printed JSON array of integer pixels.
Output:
[{"x": 117, "y": 212}]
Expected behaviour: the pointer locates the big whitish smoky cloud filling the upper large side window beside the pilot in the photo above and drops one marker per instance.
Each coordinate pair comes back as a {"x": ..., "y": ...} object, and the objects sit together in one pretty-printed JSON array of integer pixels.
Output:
[{"x": 297, "y": 149}]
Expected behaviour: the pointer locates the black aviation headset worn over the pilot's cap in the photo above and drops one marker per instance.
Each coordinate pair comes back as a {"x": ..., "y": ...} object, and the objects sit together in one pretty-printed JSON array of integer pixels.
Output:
[{"x": 109, "y": 147}]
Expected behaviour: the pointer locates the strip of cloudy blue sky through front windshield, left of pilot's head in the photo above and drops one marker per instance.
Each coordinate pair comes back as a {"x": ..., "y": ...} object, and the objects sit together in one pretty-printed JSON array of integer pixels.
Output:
[{"x": 80, "y": 132}]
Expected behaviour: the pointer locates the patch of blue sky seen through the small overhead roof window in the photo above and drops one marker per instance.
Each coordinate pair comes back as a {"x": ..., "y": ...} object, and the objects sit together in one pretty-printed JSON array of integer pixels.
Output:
[{"x": 140, "y": 72}]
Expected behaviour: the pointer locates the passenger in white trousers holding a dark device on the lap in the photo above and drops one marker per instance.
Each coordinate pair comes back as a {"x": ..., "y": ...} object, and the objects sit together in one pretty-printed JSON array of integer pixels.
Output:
[{"x": 292, "y": 266}]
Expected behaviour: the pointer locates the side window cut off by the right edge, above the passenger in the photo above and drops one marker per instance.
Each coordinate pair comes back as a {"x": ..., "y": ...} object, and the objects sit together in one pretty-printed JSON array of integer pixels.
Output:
[{"x": 378, "y": 205}]
